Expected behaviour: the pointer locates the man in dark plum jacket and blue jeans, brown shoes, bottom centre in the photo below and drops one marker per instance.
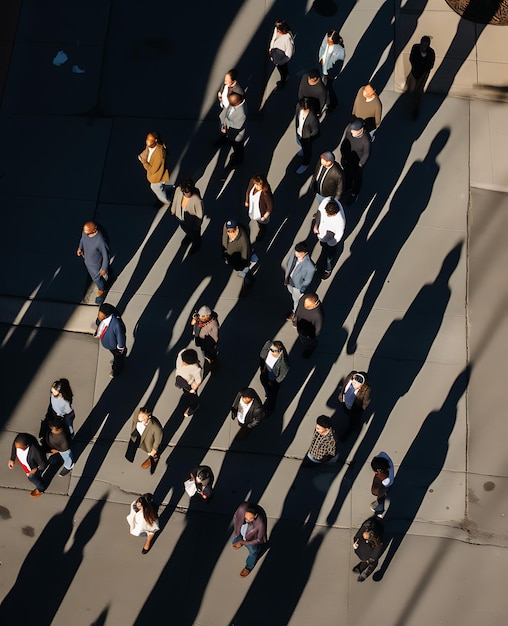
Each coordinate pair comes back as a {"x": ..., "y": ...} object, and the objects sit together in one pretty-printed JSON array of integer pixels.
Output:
[{"x": 249, "y": 531}]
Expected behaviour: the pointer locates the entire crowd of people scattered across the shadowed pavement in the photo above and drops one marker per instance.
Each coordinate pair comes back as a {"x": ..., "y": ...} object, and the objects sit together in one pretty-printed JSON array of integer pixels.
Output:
[{"x": 334, "y": 185}]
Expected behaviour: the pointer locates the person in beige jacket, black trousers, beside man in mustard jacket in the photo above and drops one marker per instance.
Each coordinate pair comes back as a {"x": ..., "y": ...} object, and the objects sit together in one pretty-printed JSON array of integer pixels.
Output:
[{"x": 187, "y": 207}]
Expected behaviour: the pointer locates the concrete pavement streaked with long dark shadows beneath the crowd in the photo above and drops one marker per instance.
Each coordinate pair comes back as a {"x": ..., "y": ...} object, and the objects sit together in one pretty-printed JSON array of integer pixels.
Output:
[{"x": 417, "y": 299}]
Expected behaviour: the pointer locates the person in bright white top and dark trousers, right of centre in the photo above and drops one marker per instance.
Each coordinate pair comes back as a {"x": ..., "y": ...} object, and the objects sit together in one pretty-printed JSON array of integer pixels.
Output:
[{"x": 329, "y": 226}]
